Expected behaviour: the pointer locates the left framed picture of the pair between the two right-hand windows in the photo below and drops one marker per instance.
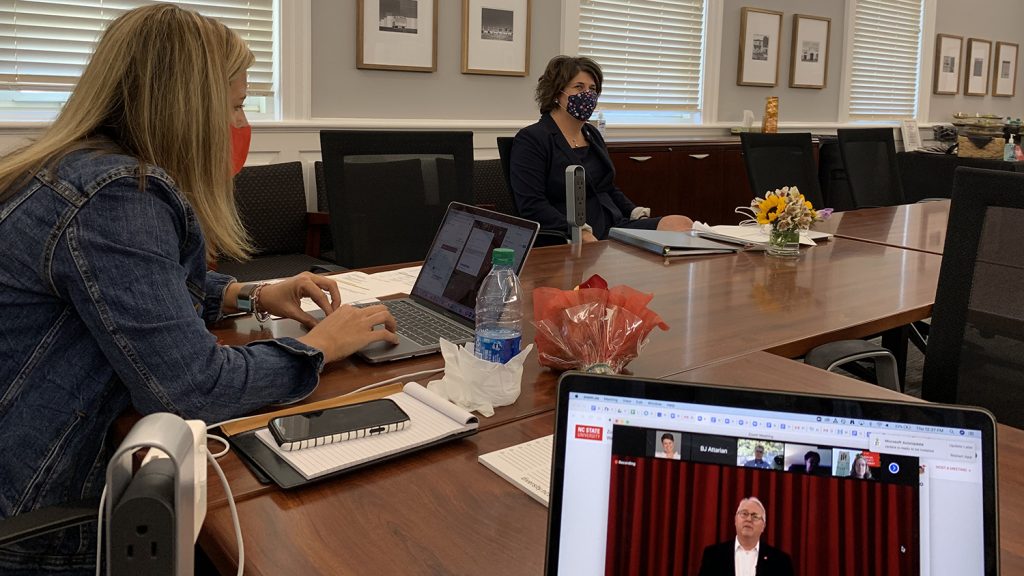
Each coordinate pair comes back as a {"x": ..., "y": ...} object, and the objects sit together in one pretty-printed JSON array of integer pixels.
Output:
[{"x": 760, "y": 31}]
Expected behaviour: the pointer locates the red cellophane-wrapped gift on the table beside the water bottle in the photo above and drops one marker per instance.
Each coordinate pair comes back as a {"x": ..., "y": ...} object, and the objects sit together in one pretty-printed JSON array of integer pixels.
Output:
[{"x": 592, "y": 328}]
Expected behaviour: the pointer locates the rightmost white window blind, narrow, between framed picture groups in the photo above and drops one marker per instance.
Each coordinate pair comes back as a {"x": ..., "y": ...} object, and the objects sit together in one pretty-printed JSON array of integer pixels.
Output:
[{"x": 886, "y": 58}]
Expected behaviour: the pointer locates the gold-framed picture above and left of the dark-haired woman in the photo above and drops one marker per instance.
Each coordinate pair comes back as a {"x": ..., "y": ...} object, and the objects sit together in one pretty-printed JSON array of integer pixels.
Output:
[{"x": 496, "y": 37}]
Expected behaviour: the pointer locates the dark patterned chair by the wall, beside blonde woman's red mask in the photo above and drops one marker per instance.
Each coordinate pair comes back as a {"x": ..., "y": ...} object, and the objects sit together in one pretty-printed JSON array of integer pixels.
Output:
[{"x": 272, "y": 203}]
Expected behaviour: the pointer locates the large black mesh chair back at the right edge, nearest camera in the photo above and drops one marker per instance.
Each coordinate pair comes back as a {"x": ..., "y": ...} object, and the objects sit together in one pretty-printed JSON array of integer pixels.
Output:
[{"x": 976, "y": 347}]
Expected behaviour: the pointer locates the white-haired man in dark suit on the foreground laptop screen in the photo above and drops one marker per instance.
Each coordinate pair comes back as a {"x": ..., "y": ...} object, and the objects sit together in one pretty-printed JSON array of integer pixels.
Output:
[{"x": 746, "y": 556}]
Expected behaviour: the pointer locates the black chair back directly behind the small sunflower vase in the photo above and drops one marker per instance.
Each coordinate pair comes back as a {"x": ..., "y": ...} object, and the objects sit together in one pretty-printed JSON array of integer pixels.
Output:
[{"x": 775, "y": 161}]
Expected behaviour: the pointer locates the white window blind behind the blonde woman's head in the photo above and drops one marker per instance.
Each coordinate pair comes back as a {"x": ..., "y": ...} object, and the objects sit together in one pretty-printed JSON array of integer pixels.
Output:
[{"x": 46, "y": 45}]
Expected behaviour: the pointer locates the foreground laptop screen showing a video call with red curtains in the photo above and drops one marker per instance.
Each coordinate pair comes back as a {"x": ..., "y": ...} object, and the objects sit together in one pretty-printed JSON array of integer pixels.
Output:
[{"x": 655, "y": 478}]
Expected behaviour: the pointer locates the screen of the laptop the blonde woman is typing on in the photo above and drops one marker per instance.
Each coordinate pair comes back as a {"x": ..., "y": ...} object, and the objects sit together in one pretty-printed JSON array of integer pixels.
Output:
[{"x": 460, "y": 256}]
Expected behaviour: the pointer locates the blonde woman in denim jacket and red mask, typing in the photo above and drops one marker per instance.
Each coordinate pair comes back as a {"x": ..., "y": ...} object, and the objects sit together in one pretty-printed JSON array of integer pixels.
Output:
[{"x": 107, "y": 223}]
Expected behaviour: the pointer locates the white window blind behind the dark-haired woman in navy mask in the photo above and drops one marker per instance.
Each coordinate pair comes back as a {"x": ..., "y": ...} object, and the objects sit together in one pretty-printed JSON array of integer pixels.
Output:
[{"x": 651, "y": 52}]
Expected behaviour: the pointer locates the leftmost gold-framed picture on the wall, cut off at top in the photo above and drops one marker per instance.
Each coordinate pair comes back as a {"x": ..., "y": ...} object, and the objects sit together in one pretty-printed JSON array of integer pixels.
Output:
[{"x": 397, "y": 35}]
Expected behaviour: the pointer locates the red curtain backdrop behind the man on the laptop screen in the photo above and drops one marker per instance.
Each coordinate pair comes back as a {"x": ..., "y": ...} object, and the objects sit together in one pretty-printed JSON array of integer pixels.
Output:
[{"x": 662, "y": 514}]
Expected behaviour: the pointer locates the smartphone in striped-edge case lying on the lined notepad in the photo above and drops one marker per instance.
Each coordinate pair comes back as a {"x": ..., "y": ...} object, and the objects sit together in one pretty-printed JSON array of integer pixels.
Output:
[{"x": 373, "y": 418}]
